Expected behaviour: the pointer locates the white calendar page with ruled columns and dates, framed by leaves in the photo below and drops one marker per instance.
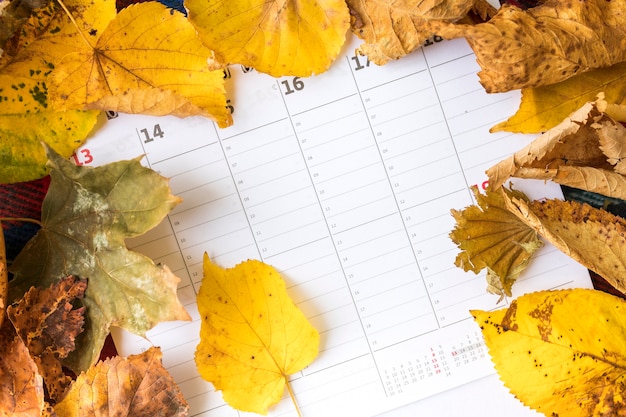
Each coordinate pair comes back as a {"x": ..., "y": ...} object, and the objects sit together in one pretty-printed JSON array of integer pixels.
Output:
[{"x": 344, "y": 182}]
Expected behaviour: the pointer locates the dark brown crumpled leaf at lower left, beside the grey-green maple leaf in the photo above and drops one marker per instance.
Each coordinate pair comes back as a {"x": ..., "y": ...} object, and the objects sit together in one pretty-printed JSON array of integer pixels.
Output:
[{"x": 48, "y": 324}]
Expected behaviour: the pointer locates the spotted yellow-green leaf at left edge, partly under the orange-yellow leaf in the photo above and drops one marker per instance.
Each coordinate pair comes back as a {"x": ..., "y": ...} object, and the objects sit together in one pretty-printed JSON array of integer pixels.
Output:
[{"x": 26, "y": 117}]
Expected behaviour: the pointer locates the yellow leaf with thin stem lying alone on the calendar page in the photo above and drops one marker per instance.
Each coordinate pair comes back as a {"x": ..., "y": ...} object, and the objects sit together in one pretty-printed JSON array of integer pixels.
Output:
[{"x": 252, "y": 336}]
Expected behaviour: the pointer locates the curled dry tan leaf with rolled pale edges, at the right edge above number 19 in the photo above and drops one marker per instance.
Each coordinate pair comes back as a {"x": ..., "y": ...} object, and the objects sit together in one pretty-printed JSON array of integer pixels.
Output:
[{"x": 570, "y": 154}]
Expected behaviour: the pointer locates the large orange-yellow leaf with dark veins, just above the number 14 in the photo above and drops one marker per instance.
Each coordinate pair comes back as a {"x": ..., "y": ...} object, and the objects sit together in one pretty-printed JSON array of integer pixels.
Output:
[{"x": 129, "y": 61}]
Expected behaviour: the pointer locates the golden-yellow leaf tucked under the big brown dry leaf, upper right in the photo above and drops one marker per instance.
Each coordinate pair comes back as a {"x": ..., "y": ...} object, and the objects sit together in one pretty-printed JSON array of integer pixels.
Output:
[{"x": 544, "y": 107}]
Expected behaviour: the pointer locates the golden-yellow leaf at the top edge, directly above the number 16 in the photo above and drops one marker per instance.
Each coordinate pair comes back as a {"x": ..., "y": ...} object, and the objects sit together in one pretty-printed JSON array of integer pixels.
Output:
[{"x": 278, "y": 37}]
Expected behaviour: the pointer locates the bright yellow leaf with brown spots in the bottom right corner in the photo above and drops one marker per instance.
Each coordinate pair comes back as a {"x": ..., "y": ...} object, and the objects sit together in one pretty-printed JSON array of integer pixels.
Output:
[{"x": 561, "y": 352}]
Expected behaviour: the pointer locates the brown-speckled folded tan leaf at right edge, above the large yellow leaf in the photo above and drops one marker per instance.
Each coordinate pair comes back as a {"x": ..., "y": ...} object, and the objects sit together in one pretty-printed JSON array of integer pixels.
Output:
[{"x": 593, "y": 237}]
